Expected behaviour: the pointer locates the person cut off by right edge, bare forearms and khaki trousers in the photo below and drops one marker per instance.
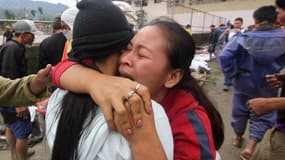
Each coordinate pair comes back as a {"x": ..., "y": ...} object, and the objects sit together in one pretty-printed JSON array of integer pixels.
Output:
[{"x": 272, "y": 145}]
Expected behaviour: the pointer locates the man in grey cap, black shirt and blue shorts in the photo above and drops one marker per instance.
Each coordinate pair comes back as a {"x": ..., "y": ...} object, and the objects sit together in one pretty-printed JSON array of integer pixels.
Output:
[{"x": 13, "y": 65}]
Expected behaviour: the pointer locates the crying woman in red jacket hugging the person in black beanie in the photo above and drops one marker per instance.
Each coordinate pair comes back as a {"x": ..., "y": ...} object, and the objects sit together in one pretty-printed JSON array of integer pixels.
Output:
[{"x": 159, "y": 57}]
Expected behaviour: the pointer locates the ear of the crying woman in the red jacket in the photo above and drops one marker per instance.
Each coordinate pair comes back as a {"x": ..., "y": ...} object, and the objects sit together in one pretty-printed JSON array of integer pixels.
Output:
[{"x": 174, "y": 78}]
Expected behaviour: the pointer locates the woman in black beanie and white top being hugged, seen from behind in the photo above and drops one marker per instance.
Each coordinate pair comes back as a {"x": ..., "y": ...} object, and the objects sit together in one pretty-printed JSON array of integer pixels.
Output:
[{"x": 75, "y": 128}]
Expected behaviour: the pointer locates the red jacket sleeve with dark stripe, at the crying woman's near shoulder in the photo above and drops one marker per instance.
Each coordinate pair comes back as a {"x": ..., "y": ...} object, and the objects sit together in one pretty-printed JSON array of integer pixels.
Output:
[{"x": 192, "y": 134}]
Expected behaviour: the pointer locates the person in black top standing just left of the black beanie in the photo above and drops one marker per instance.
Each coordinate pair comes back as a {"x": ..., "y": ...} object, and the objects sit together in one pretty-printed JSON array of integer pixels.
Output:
[{"x": 51, "y": 48}]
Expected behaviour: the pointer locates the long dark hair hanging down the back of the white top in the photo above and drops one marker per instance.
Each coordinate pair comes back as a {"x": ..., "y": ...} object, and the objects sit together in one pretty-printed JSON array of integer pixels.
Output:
[{"x": 74, "y": 112}]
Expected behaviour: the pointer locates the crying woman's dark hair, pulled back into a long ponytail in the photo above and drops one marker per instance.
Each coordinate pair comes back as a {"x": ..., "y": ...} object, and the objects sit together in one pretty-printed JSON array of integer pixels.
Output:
[{"x": 181, "y": 50}]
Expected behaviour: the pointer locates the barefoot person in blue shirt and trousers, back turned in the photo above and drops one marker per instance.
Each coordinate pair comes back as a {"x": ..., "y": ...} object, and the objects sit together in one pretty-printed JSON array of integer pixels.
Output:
[{"x": 247, "y": 59}]
